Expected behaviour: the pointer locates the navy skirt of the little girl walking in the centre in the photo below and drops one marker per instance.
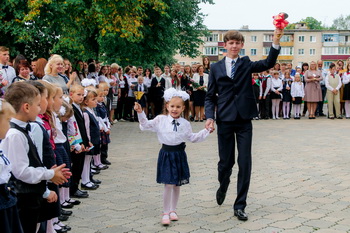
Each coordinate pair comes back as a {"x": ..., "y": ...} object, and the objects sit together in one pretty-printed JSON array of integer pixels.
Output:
[{"x": 172, "y": 167}]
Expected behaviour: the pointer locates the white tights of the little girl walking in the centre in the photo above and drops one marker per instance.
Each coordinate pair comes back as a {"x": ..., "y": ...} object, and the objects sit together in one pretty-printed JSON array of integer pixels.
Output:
[{"x": 170, "y": 197}]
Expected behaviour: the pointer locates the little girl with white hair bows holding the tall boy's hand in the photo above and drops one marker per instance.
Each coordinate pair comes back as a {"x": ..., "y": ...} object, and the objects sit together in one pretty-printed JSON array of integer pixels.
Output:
[{"x": 172, "y": 131}]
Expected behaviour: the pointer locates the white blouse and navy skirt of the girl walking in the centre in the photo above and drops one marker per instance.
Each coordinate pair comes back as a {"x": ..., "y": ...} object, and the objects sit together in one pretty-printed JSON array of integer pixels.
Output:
[{"x": 172, "y": 166}]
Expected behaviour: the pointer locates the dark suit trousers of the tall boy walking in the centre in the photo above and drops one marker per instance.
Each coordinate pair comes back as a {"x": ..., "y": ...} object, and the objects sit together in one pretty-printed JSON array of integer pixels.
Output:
[{"x": 229, "y": 133}]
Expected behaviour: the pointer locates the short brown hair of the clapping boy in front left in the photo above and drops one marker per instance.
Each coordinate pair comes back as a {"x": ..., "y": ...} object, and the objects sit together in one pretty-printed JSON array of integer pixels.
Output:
[{"x": 19, "y": 93}]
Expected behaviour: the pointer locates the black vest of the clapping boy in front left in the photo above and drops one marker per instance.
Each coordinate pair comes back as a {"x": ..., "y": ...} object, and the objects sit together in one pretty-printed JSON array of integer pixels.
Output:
[{"x": 34, "y": 161}]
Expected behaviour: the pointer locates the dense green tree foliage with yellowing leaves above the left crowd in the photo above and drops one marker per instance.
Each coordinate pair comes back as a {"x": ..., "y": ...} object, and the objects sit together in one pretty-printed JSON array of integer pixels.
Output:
[{"x": 140, "y": 32}]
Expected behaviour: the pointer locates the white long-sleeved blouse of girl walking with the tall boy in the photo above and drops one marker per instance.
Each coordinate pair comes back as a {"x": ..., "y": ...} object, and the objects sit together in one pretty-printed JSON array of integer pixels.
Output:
[{"x": 164, "y": 128}]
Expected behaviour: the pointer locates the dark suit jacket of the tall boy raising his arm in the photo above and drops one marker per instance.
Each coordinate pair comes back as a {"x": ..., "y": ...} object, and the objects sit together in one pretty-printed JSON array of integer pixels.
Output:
[{"x": 235, "y": 97}]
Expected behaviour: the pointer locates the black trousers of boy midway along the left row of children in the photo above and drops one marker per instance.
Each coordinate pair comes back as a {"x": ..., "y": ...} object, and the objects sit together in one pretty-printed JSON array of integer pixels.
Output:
[{"x": 77, "y": 169}]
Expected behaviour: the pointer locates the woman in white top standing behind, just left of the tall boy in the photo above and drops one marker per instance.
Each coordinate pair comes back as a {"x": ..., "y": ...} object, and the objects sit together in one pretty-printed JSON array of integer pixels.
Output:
[{"x": 199, "y": 91}]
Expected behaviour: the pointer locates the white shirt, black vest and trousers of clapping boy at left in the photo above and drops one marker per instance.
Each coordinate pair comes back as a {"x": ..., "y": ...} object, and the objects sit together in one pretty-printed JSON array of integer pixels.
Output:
[{"x": 30, "y": 174}]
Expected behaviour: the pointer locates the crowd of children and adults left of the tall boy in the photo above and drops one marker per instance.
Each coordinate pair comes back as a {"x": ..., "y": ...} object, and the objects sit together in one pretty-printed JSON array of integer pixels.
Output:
[{"x": 55, "y": 121}]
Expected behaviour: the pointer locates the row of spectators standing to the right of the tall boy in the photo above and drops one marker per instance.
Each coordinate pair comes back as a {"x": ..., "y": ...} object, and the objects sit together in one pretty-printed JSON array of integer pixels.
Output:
[{"x": 282, "y": 88}]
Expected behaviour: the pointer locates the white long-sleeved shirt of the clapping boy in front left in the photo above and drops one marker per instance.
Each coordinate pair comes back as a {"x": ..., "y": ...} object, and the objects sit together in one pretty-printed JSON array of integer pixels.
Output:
[{"x": 18, "y": 156}]
